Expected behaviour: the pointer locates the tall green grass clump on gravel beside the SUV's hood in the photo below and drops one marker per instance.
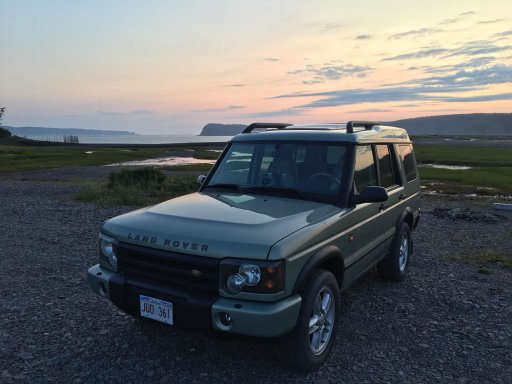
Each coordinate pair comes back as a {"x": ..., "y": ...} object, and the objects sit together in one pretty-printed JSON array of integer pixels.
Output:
[{"x": 136, "y": 187}]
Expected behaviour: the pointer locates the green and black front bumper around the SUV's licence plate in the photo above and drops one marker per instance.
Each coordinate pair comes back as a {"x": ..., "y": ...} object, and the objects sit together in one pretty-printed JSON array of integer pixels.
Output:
[{"x": 250, "y": 318}]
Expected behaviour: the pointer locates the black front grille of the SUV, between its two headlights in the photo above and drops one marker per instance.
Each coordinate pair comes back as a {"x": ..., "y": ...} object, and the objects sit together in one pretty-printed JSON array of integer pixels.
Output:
[{"x": 169, "y": 269}]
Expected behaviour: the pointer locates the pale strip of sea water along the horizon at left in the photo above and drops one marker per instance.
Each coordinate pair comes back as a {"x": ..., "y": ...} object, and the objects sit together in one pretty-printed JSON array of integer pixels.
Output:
[{"x": 137, "y": 139}]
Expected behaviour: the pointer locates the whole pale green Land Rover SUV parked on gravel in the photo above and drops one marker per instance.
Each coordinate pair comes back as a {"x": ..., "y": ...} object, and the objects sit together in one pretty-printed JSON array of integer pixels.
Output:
[{"x": 287, "y": 218}]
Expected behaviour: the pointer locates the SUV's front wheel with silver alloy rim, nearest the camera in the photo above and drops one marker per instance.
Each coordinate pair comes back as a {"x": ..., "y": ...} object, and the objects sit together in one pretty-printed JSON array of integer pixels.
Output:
[{"x": 309, "y": 345}]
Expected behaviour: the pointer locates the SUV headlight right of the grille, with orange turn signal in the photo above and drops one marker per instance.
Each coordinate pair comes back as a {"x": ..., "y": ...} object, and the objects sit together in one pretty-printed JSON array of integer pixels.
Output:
[{"x": 252, "y": 276}]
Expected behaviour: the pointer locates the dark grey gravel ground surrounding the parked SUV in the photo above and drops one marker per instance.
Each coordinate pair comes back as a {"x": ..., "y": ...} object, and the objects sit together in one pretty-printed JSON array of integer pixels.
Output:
[{"x": 446, "y": 323}]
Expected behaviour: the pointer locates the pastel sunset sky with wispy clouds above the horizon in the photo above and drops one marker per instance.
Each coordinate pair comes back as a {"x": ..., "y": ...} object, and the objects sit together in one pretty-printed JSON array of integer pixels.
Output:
[{"x": 170, "y": 67}]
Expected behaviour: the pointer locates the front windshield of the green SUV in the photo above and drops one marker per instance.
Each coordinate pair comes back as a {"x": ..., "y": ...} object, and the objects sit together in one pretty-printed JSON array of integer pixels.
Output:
[{"x": 301, "y": 169}]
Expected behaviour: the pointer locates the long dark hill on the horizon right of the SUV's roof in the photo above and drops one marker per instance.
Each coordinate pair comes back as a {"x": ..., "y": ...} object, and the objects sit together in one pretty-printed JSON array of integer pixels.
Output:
[{"x": 474, "y": 124}]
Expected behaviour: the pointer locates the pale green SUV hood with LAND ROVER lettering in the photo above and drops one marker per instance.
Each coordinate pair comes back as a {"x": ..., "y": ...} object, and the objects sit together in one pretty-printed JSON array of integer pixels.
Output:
[{"x": 218, "y": 225}]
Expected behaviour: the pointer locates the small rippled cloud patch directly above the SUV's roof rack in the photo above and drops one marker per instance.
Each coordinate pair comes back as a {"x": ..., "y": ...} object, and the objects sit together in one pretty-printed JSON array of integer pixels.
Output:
[{"x": 329, "y": 71}]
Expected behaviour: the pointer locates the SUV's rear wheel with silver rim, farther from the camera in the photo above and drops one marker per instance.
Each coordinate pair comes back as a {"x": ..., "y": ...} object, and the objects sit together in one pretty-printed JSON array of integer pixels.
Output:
[{"x": 396, "y": 265}]
